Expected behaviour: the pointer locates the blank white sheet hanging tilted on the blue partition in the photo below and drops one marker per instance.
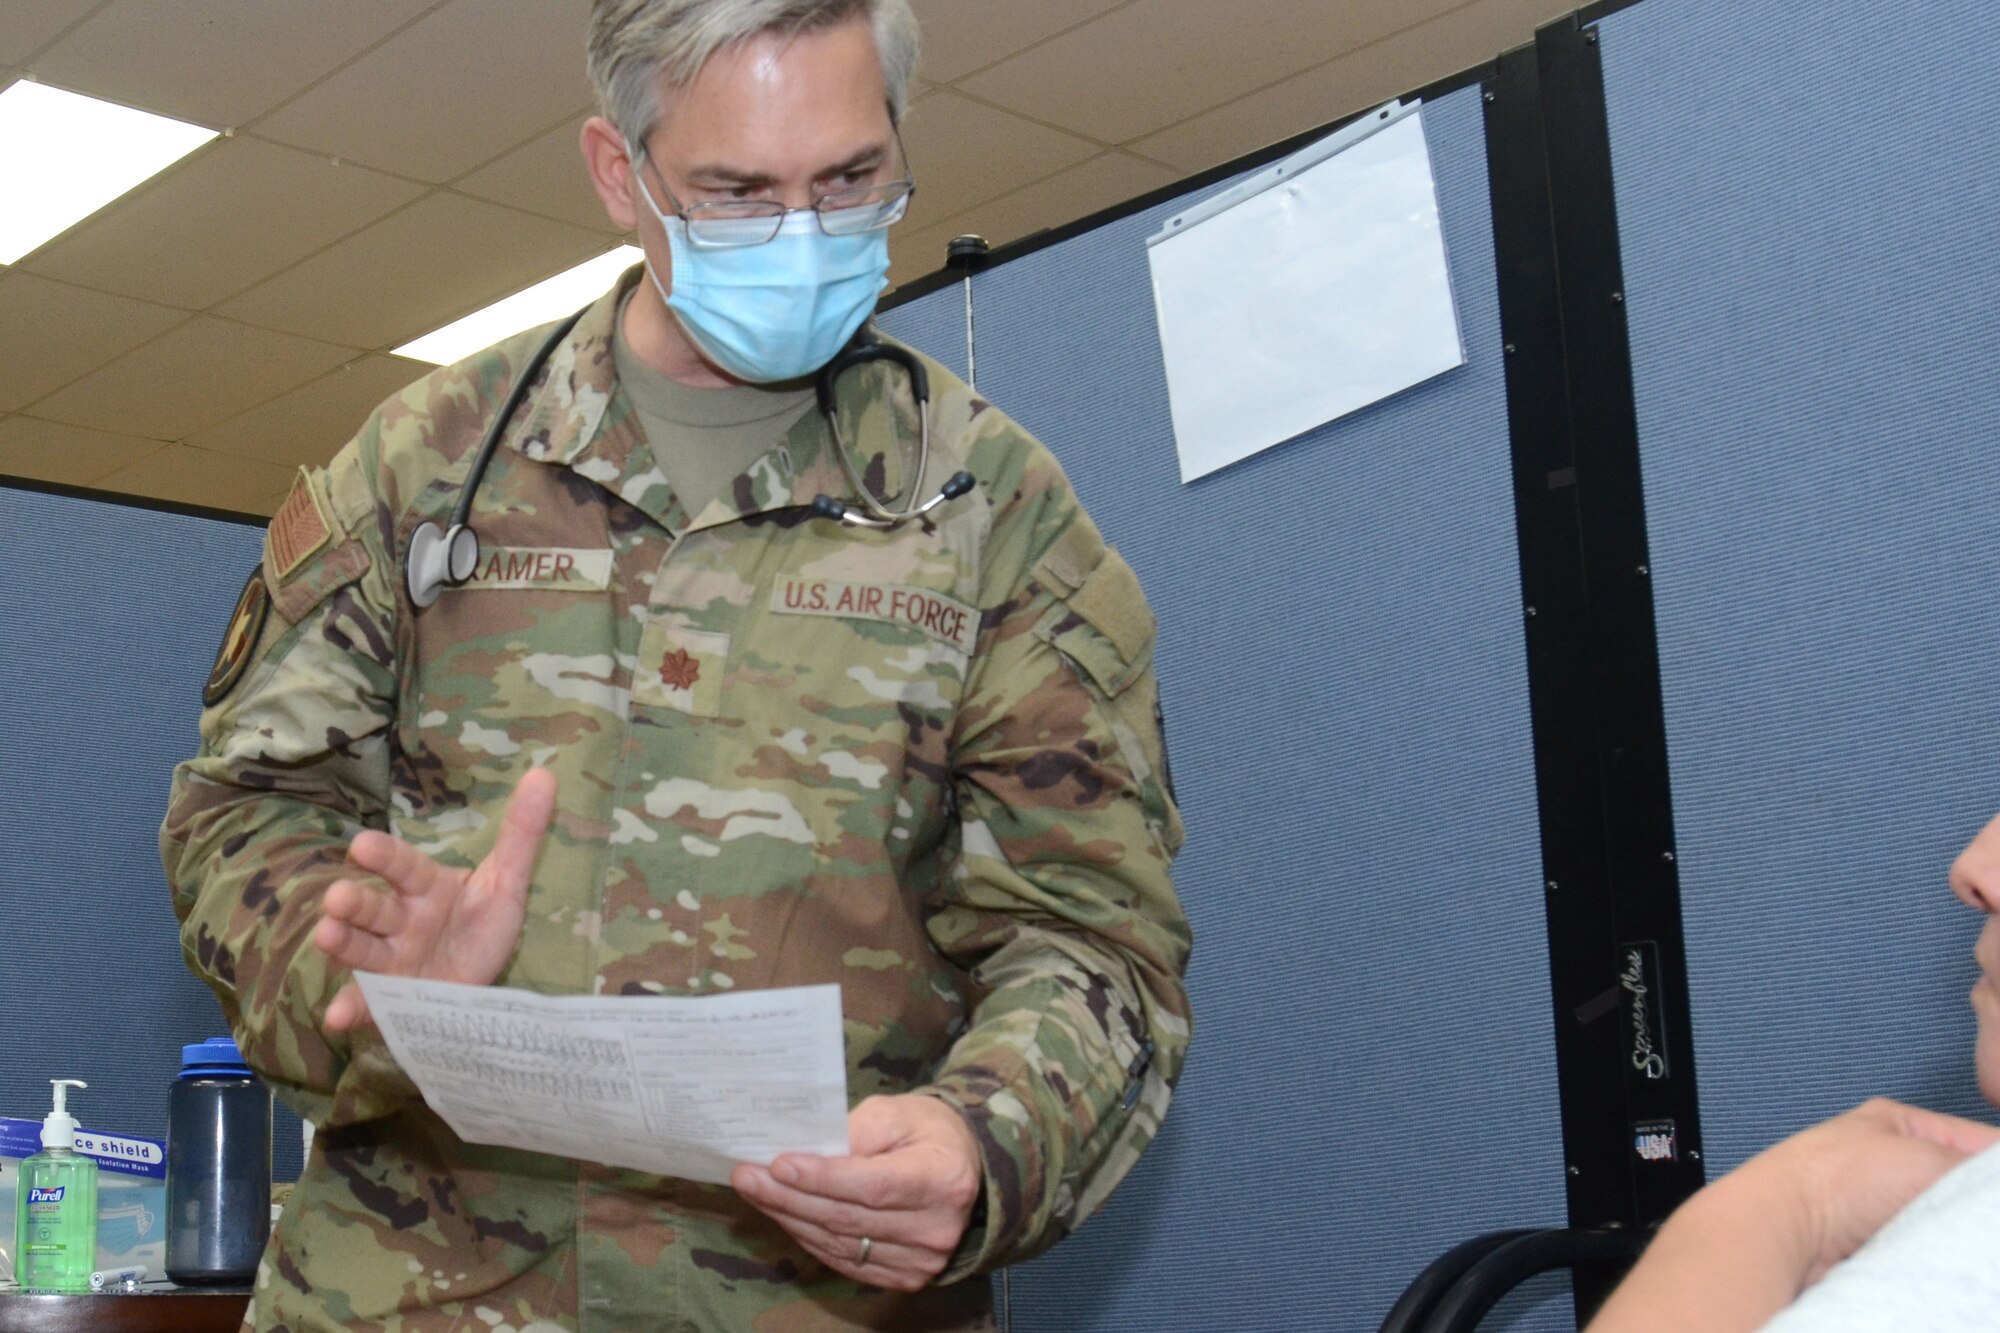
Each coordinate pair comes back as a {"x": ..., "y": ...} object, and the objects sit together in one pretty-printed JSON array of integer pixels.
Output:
[{"x": 1305, "y": 293}]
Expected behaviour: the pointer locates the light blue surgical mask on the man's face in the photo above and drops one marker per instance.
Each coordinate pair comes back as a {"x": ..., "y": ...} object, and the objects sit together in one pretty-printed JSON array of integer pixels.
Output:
[{"x": 775, "y": 311}]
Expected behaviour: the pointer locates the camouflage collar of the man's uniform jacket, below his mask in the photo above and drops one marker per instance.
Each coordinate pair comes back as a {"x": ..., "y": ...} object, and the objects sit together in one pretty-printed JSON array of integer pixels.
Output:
[{"x": 585, "y": 421}]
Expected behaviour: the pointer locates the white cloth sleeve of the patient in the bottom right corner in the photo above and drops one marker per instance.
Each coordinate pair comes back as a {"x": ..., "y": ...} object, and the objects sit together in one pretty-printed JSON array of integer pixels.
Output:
[{"x": 1931, "y": 1270}]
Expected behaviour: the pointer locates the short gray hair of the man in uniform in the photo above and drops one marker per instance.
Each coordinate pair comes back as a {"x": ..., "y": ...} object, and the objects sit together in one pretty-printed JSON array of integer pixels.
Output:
[{"x": 635, "y": 41}]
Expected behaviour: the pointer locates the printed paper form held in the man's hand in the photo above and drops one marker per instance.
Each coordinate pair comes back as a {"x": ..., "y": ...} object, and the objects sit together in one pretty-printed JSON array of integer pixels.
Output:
[{"x": 663, "y": 1084}]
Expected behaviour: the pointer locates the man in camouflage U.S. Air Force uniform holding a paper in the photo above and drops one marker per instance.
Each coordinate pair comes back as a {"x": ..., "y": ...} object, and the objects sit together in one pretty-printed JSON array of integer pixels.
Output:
[{"x": 665, "y": 748}]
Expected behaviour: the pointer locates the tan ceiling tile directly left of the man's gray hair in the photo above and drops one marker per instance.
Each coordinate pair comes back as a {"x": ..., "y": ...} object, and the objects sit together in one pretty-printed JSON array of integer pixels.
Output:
[{"x": 465, "y": 85}]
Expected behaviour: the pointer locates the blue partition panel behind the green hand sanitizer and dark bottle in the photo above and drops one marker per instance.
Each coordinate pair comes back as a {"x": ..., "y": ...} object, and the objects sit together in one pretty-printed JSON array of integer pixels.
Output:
[{"x": 111, "y": 621}]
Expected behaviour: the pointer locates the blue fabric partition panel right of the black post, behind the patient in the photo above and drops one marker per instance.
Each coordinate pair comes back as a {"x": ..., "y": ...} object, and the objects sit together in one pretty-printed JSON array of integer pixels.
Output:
[{"x": 1807, "y": 201}]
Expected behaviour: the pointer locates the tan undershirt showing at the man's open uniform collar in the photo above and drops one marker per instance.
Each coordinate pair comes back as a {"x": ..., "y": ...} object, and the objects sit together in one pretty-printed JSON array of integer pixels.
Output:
[{"x": 707, "y": 437}]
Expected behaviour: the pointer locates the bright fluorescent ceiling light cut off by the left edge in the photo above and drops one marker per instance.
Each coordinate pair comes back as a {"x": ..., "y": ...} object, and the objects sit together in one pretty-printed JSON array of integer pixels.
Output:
[{"x": 63, "y": 157}]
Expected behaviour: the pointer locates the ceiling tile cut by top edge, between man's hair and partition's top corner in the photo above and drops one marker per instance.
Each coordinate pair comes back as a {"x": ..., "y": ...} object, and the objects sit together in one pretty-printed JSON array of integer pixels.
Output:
[{"x": 1153, "y": 63}]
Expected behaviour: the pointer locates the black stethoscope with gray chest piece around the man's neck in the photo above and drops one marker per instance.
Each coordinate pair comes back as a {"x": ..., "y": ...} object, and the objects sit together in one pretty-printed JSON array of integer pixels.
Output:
[{"x": 451, "y": 555}]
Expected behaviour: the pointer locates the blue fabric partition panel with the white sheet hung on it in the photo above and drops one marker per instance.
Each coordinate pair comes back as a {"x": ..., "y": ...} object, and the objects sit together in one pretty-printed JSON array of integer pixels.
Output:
[{"x": 1345, "y": 678}]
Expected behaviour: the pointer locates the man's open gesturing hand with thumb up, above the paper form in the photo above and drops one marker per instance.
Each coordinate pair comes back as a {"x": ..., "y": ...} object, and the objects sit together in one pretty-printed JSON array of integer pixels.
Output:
[{"x": 439, "y": 922}]
